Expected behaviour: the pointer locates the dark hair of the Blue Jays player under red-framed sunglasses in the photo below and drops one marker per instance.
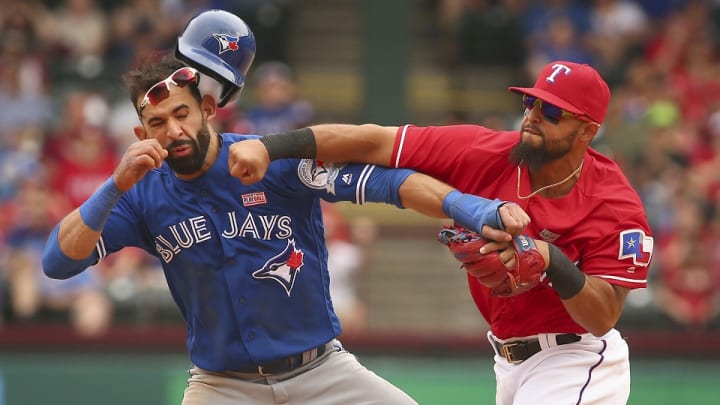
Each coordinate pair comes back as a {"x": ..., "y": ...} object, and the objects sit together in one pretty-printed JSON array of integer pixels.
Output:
[{"x": 146, "y": 75}]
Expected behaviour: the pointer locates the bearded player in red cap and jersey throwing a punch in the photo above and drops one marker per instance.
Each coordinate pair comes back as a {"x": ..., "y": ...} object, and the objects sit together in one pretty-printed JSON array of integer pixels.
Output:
[{"x": 555, "y": 343}]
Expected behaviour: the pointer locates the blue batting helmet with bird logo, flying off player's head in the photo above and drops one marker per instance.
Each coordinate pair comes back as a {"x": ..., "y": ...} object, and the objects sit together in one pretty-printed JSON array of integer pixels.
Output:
[{"x": 220, "y": 45}]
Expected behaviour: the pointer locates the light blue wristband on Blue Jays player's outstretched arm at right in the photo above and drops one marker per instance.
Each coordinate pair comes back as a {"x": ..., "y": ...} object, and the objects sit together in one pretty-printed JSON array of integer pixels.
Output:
[{"x": 472, "y": 212}]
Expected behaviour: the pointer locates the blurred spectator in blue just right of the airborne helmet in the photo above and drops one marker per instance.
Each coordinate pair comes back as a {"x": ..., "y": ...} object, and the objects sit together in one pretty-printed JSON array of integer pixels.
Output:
[{"x": 278, "y": 106}]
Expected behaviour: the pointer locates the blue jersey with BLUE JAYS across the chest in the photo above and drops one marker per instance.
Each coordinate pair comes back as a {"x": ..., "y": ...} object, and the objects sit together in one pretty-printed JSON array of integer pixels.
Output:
[{"x": 246, "y": 265}]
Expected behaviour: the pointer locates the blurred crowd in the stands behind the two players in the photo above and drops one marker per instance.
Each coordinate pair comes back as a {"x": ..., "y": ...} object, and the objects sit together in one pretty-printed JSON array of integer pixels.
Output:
[{"x": 65, "y": 121}]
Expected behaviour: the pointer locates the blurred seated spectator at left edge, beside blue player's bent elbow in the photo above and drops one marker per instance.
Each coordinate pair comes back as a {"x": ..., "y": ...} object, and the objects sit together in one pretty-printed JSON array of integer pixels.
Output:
[{"x": 35, "y": 297}]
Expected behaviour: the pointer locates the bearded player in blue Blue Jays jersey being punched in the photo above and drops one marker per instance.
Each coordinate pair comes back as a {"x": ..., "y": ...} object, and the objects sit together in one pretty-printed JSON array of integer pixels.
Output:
[{"x": 246, "y": 265}]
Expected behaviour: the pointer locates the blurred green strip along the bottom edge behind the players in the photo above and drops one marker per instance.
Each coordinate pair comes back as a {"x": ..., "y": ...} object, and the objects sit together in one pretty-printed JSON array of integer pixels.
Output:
[{"x": 77, "y": 378}]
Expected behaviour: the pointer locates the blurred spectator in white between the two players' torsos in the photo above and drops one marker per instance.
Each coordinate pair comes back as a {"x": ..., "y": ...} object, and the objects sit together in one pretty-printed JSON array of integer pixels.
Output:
[{"x": 349, "y": 246}]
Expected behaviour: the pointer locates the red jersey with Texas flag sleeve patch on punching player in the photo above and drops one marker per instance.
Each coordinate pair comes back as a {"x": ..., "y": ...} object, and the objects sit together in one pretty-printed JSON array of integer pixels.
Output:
[{"x": 600, "y": 224}]
